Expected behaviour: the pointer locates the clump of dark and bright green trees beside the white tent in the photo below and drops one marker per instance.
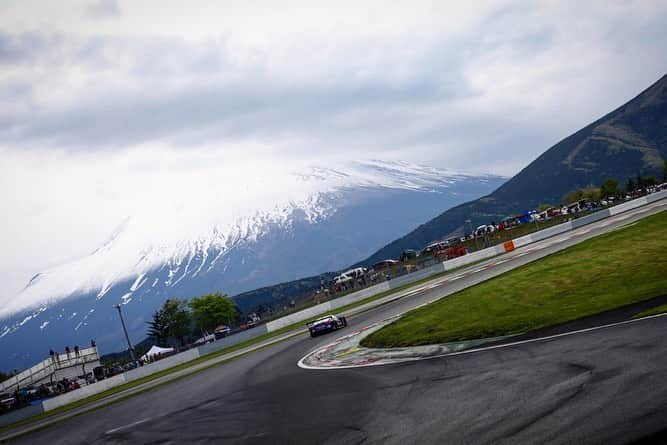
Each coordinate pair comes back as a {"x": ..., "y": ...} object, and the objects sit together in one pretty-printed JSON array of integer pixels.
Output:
[{"x": 178, "y": 321}]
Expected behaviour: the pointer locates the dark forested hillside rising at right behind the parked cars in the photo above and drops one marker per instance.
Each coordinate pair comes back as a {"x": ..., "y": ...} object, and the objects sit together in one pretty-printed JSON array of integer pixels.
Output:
[{"x": 628, "y": 141}]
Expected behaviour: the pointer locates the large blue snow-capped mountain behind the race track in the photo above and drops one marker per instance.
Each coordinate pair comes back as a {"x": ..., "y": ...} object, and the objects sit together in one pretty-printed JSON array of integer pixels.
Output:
[{"x": 274, "y": 227}]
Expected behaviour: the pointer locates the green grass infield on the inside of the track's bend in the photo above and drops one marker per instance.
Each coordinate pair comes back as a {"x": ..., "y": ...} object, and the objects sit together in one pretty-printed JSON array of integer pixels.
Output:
[{"x": 612, "y": 270}]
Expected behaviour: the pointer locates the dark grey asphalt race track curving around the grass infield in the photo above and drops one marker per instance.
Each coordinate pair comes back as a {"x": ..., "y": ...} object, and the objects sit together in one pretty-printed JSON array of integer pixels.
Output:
[{"x": 605, "y": 386}]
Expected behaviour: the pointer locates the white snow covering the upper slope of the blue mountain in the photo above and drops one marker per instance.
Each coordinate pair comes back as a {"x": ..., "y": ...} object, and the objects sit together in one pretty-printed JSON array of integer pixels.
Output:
[{"x": 176, "y": 233}]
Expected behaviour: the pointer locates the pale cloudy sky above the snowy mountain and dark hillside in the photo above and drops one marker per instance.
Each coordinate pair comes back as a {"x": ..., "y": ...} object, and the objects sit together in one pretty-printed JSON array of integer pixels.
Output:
[{"x": 109, "y": 105}]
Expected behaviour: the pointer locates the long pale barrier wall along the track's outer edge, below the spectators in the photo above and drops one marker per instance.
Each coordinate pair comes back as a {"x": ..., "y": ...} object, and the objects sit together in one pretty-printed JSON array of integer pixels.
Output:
[{"x": 303, "y": 315}]
